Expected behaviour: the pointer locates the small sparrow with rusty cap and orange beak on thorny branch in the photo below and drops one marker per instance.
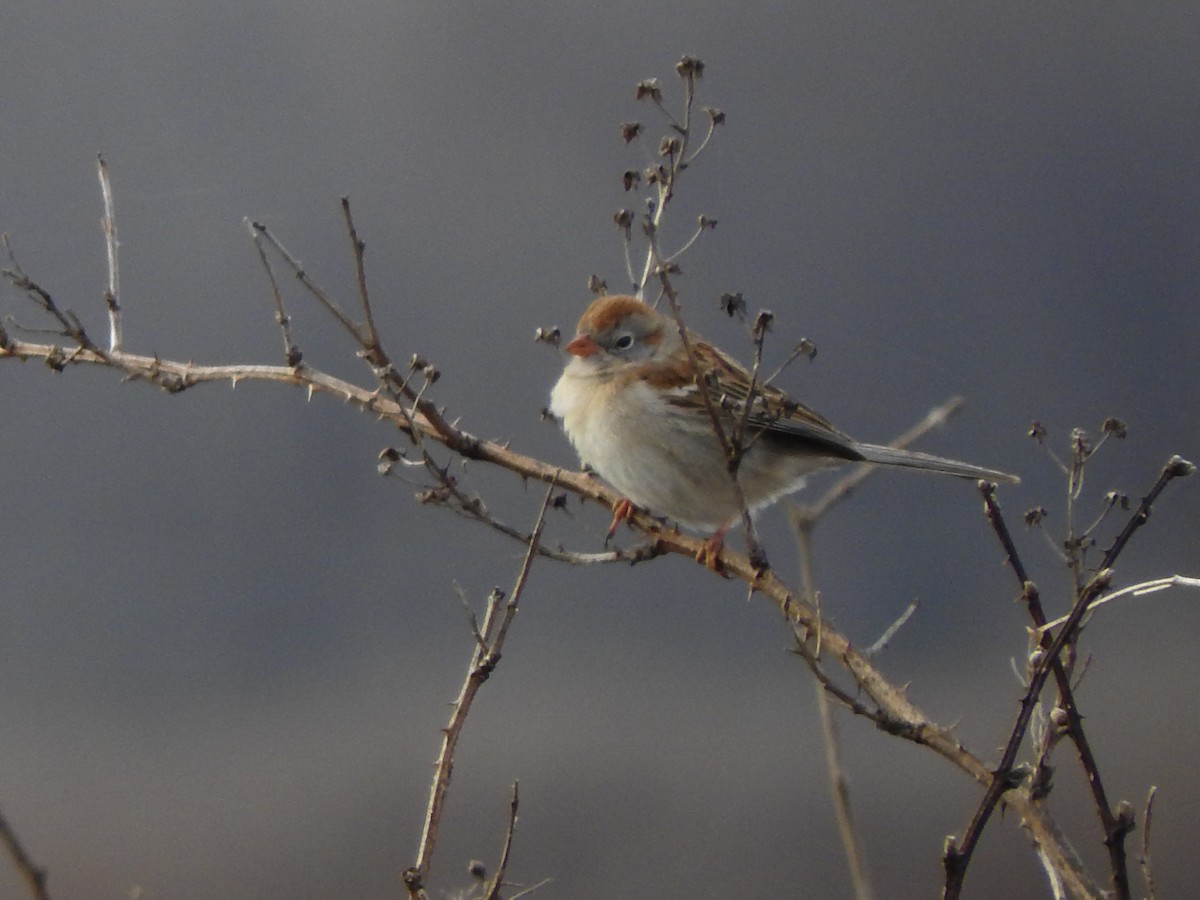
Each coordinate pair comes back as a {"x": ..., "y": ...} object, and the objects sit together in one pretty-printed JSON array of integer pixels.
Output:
[{"x": 639, "y": 404}]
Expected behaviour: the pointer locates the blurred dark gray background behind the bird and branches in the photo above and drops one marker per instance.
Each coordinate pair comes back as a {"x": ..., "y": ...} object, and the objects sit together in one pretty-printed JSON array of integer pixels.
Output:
[{"x": 227, "y": 646}]
